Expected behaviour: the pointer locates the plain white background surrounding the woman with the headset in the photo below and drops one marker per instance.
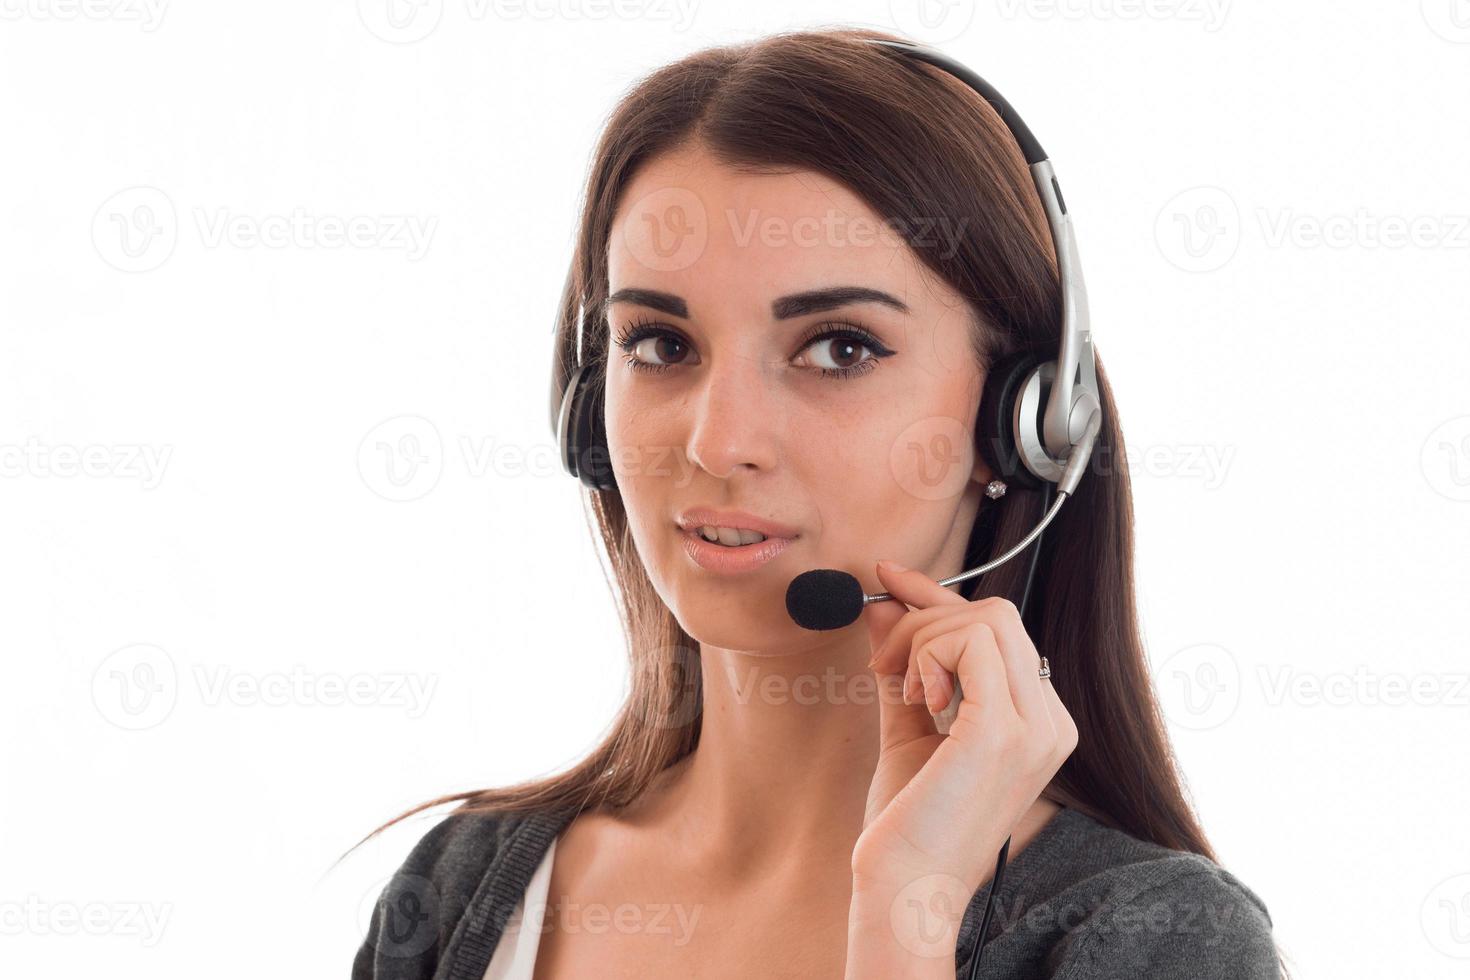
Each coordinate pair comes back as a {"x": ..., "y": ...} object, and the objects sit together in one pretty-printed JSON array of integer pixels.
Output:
[{"x": 201, "y": 531}]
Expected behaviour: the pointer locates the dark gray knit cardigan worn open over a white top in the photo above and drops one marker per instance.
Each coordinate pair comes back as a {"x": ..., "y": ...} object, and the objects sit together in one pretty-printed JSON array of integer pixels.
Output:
[{"x": 1081, "y": 901}]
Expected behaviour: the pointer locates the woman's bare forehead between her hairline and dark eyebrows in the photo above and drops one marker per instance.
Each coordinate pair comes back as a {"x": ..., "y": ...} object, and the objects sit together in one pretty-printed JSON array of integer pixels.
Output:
[{"x": 690, "y": 224}]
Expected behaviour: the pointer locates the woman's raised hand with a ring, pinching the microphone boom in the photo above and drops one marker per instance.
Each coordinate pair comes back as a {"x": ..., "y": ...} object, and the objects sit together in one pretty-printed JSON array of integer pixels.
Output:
[{"x": 944, "y": 804}]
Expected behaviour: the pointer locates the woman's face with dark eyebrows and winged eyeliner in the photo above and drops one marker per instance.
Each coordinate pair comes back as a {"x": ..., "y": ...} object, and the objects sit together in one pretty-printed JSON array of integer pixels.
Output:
[{"x": 730, "y": 286}]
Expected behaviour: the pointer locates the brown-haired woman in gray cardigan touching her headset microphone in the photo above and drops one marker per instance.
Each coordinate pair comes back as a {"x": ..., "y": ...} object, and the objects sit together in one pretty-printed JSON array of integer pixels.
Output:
[{"x": 799, "y": 262}]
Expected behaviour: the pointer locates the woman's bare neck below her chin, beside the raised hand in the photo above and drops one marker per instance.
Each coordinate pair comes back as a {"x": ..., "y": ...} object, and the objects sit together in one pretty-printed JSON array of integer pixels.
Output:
[{"x": 778, "y": 784}]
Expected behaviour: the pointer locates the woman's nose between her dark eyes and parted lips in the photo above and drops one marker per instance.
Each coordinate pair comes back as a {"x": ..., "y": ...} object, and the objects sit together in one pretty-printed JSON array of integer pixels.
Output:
[{"x": 734, "y": 419}]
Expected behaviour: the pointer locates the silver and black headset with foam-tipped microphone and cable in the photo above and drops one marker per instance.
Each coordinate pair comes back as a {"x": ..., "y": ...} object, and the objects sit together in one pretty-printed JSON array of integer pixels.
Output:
[{"x": 1036, "y": 425}]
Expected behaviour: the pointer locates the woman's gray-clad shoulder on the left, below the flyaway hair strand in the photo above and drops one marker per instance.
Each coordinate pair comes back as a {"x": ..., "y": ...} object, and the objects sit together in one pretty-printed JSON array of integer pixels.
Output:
[{"x": 424, "y": 904}]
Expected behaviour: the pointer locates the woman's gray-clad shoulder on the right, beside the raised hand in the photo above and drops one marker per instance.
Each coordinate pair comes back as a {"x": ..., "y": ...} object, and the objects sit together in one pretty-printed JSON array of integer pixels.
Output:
[{"x": 1136, "y": 909}]
